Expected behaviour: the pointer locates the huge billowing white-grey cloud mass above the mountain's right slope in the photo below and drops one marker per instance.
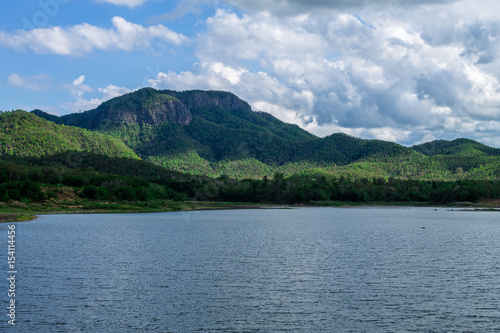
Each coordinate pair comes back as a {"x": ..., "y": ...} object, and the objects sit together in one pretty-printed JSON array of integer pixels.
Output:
[{"x": 370, "y": 74}]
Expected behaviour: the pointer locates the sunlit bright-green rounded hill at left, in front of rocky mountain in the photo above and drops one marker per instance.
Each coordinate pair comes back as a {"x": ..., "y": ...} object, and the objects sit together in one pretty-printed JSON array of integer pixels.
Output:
[{"x": 23, "y": 134}]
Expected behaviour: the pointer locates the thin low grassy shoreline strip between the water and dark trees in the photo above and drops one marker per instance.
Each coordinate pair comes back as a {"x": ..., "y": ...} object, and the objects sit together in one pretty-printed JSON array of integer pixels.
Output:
[{"x": 22, "y": 212}]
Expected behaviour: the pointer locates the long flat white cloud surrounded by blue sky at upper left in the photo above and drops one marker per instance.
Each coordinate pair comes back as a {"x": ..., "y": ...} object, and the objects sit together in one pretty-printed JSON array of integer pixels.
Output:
[{"x": 84, "y": 38}]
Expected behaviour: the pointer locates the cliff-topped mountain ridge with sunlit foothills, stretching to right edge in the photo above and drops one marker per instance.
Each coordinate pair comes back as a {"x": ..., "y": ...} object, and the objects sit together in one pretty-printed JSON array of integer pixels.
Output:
[{"x": 216, "y": 133}]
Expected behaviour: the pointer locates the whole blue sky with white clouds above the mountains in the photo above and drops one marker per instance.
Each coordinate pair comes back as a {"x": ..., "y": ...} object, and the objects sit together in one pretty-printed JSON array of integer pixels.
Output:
[{"x": 406, "y": 71}]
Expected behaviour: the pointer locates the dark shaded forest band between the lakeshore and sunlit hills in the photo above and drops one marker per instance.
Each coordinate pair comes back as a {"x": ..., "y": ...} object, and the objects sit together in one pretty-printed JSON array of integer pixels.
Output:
[{"x": 103, "y": 178}]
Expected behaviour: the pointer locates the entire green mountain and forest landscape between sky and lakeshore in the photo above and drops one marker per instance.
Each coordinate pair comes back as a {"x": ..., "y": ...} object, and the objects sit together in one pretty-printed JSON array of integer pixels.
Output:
[{"x": 156, "y": 146}]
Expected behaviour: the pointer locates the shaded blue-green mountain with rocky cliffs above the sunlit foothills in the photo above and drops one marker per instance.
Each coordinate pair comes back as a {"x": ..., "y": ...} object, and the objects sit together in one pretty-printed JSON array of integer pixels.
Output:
[{"x": 202, "y": 127}]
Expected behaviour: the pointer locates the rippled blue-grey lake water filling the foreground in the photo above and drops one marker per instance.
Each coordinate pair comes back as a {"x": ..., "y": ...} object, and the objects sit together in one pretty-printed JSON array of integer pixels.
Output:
[{"x": 286, "y": 270}]
